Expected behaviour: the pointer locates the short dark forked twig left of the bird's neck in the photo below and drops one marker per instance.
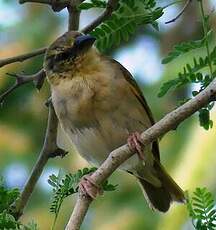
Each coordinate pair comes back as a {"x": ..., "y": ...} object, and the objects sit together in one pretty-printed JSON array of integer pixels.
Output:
[{"x": 22, "y": 79}]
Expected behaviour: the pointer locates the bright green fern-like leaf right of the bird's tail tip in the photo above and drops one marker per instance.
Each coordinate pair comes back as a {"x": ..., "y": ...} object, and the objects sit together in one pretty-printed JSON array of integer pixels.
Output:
[{"x": 201, "y": 208}]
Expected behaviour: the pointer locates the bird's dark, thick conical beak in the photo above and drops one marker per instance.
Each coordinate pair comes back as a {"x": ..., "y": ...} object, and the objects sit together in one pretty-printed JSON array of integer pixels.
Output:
[{"x": 84, "y": 42}]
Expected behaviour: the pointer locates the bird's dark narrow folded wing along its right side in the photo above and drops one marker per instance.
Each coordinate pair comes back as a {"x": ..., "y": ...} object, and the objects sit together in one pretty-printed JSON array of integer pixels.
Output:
[{"x": 137, "y": 92}]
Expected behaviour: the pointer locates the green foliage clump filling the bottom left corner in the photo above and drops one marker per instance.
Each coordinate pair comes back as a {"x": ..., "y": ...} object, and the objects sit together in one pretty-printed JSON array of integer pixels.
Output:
[{"x": 7, "y": 220}]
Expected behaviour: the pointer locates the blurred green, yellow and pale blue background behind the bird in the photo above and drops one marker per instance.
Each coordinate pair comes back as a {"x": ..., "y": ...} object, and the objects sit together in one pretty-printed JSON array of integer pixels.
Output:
[{"x": 188, "y": 153}]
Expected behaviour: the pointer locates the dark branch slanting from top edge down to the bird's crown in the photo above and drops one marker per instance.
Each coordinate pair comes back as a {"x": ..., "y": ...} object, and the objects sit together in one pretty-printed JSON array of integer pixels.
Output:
[{"x": 111, "y": 6}]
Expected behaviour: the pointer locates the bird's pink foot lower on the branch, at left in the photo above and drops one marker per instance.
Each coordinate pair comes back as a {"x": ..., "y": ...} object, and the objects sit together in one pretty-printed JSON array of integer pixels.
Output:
[{"x": 89, "y": 187}]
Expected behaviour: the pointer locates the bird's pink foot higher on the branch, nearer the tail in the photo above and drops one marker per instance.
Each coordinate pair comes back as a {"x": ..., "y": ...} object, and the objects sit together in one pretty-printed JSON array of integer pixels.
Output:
[{"x": 135, "y": 144}]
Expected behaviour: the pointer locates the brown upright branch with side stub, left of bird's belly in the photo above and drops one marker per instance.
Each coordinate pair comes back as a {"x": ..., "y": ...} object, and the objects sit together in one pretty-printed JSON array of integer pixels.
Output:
[{"x": 49, "y": 149}]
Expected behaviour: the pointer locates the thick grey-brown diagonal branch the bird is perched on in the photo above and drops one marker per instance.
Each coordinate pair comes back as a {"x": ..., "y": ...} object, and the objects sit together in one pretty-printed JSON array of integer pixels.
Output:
[{"x": 118, "y": 156}]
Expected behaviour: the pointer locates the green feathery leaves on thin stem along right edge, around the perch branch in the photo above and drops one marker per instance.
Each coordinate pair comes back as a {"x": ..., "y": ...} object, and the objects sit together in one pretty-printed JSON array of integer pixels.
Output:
[{"x": 195, "y": 73}]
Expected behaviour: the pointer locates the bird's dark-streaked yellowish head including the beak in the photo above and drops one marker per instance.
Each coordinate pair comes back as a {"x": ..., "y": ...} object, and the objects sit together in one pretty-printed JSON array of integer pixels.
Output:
[{"x": 66, "y": 50}]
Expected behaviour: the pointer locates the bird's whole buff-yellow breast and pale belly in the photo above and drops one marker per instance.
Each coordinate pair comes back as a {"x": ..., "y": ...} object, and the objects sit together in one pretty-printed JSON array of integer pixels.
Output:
[{"x": 98, "y": 112}]
